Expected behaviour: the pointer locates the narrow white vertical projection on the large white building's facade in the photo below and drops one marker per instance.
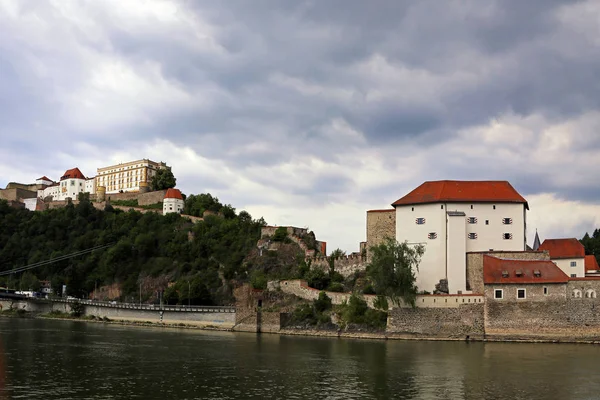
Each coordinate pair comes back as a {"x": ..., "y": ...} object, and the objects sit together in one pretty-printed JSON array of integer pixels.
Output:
[{"x": 457, "y": 254}]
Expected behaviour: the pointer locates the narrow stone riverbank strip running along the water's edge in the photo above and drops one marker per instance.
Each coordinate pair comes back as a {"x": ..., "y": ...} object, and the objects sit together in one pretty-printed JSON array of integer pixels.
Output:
[{"x": 316, "y": 333}]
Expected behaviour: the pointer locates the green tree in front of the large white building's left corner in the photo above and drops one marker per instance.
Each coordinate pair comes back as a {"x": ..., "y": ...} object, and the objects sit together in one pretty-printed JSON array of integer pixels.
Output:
[{"x": 392, "y": 270}]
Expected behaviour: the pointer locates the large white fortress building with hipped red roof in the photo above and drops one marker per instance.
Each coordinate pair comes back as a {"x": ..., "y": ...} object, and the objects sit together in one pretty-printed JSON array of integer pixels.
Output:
[{"x": 451, "y": 218}]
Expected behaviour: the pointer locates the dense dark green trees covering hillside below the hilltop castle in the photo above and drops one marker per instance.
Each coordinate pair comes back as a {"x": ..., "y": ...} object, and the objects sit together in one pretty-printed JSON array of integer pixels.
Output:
[{"x": 206, "y": 254}]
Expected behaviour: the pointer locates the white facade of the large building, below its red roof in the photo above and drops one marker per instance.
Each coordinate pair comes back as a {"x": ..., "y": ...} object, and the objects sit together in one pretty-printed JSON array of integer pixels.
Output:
[{"x": 447, "y": 238}]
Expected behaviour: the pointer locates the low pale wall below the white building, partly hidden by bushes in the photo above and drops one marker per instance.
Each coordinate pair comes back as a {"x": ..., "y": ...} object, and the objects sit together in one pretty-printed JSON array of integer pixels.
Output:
[{"x": 301, "y": 289}]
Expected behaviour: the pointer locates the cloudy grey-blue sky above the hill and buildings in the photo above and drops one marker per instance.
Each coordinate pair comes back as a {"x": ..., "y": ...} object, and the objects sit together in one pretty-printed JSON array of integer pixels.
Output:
[{"x": 309, "y": 113}]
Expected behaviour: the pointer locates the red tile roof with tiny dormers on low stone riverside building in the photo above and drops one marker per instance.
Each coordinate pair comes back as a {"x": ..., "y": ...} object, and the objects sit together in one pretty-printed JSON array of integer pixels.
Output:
[{"x": 494, "y": 269}]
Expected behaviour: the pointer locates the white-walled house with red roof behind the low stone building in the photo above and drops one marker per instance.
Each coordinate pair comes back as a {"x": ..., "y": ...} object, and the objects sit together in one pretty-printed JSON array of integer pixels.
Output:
[{"x": 568, "y": 254}]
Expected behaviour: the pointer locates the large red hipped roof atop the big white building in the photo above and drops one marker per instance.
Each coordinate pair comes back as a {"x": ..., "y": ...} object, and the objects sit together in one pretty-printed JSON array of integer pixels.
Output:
[{"x": 461, "y": 192}]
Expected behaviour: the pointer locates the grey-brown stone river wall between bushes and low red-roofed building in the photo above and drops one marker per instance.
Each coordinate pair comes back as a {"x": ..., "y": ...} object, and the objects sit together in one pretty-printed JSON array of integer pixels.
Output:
[{"x": 459, "y": 322}]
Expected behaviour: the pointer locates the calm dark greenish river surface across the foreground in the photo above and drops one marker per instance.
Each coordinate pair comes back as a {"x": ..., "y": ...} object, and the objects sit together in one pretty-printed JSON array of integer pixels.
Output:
[{"x": 48, "y": 359}]
